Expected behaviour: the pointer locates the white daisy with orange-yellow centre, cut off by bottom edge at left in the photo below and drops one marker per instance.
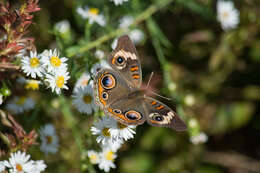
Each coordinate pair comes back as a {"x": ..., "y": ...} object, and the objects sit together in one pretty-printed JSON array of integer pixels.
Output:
[{"x": 19, "y": 162}]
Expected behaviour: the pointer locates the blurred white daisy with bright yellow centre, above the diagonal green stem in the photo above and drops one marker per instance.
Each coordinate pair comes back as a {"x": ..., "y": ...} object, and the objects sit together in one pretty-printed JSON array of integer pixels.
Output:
[{"x": 92, "y": 14}]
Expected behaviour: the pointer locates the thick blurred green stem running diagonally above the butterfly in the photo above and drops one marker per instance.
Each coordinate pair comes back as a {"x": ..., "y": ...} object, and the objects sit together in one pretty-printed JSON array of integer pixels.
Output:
[{"x": 72, "y": 51}]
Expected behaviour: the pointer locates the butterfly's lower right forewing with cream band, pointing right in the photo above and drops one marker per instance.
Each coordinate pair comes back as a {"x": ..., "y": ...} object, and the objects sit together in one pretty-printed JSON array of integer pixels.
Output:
[{"x": 158, "y": 114}]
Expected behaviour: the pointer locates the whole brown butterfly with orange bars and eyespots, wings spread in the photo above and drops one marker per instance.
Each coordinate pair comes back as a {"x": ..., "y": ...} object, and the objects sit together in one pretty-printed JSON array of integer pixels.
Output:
[{"x": 117, "y": 91}]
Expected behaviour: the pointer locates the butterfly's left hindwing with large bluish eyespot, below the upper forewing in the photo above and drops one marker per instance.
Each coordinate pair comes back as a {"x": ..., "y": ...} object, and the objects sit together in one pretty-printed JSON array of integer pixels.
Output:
[{"x": 108, "y": 87}]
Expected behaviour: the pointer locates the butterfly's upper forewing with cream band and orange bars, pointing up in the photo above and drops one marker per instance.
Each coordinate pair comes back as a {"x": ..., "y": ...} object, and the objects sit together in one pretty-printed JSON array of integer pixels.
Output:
[{"x": 125, "y": 60}]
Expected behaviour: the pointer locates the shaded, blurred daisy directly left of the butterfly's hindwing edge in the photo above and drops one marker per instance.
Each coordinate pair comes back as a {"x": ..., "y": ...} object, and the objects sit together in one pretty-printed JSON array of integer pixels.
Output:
[{"x": 84, "y": 99}]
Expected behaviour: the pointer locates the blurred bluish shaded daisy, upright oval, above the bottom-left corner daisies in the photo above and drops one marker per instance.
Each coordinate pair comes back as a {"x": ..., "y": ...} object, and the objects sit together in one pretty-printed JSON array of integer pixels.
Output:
[{"x": 49, "y": 139}]
